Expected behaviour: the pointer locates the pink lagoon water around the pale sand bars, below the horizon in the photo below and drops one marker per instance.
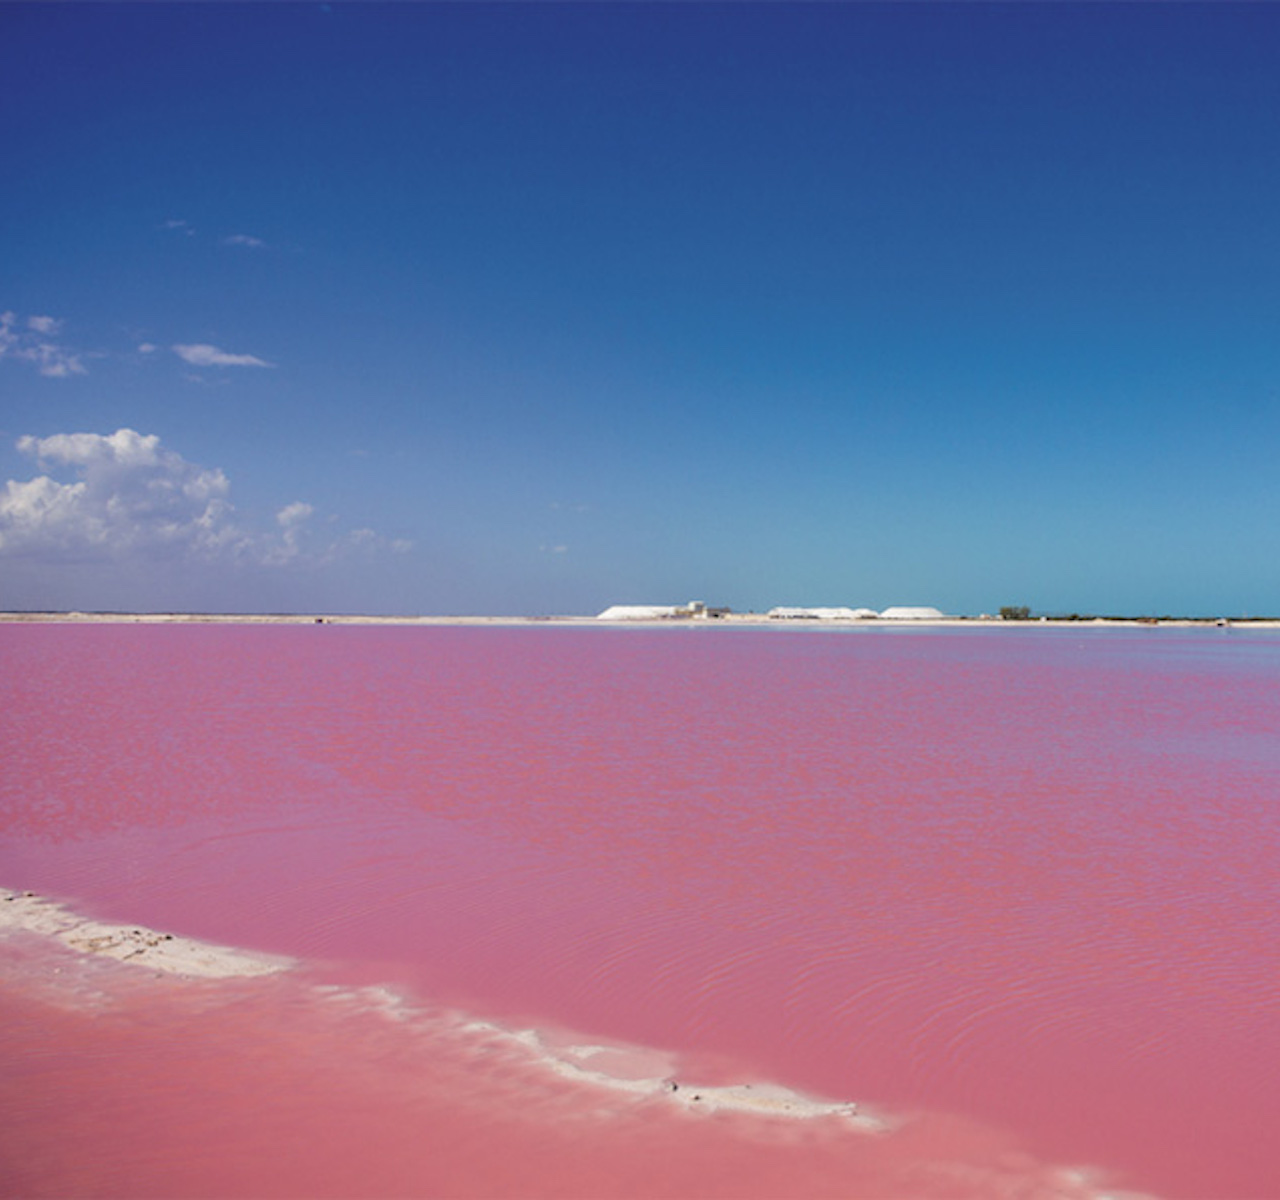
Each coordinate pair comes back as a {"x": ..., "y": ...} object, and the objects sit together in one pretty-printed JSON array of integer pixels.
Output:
[{"x": 1018, "y": 890}]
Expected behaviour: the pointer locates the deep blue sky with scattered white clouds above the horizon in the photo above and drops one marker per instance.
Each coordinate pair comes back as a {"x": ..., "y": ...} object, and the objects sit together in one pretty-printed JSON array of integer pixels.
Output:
[{"x": 536, "y": 309}]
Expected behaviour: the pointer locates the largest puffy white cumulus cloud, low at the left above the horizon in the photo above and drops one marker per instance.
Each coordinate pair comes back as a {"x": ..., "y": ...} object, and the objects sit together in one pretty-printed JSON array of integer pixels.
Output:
[{"x": 130, "y": 496}]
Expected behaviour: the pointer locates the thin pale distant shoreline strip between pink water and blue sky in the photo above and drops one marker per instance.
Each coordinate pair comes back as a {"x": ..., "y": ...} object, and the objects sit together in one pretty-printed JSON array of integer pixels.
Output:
[{"x": 729, "y": 621}]
